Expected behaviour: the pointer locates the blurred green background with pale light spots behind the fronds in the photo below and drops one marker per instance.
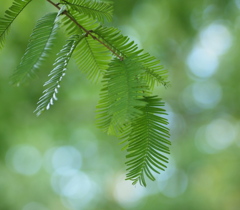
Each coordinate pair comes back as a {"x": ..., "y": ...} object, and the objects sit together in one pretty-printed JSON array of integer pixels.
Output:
[{"x": 61, "y": 161}]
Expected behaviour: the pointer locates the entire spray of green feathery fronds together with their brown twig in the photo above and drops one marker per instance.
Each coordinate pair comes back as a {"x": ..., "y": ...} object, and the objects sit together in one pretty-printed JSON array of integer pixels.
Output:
[{"x": 126, "y": 107}]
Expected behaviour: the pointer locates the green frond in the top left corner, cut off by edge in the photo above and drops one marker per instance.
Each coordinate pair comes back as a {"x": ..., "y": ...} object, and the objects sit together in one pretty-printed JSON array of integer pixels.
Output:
[{"x": 10, "y": 15}]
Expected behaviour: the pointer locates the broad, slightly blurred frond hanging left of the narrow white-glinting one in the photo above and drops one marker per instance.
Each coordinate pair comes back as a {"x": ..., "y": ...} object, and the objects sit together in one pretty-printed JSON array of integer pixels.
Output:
[{"x": 39, "y": 46}]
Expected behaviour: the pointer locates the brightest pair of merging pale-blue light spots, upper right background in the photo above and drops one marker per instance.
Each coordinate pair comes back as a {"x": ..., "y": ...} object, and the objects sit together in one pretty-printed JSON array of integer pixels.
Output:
[{"x": 203, "y": 60}]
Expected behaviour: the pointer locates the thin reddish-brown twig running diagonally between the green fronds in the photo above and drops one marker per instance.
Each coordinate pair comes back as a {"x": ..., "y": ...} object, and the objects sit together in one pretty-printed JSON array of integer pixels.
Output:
[{"x": 88, "y": 32}]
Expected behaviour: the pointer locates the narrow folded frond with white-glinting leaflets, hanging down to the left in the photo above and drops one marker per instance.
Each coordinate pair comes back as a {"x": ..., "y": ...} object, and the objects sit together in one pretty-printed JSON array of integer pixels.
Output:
[{"x": 56, "y": 75}]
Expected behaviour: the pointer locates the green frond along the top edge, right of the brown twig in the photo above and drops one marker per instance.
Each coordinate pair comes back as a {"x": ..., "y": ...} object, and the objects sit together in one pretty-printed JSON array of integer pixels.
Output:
[{"x": 94, "y": 9}]
